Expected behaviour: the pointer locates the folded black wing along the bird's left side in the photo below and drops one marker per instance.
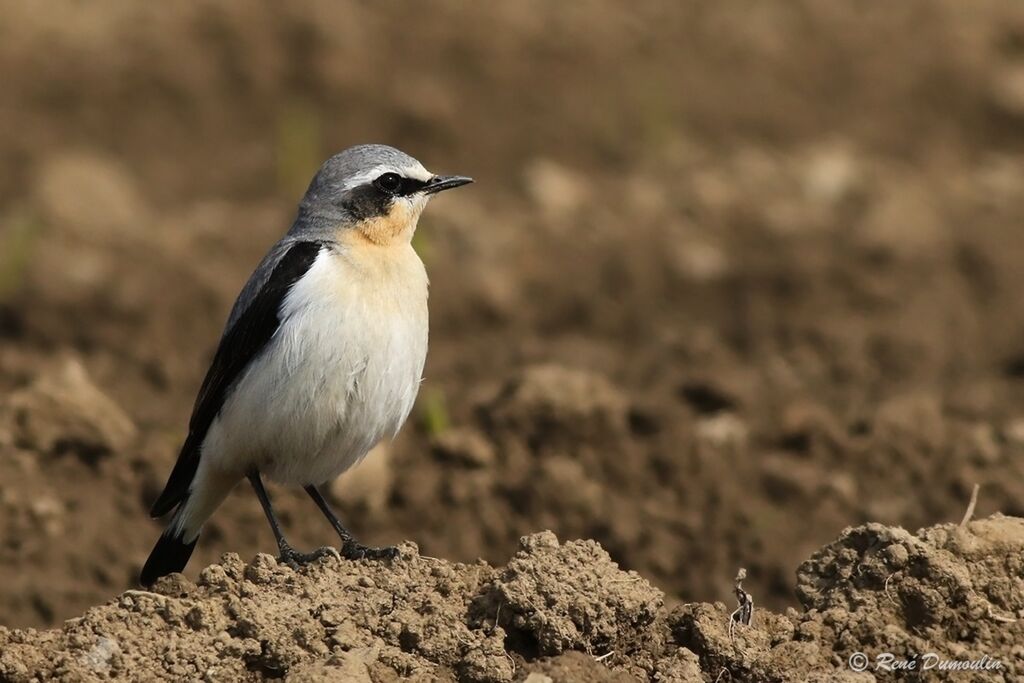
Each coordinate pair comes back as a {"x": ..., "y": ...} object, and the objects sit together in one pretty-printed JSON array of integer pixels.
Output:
[{"x": 240, "y": 346}]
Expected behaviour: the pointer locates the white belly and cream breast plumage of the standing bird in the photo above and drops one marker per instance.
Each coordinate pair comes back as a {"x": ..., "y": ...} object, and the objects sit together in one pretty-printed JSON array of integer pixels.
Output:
[{"x": 342, "y": 373}]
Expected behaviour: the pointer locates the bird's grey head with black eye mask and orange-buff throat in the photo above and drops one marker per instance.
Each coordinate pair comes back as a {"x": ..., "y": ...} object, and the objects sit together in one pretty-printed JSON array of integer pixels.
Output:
[{"x": 372, "y": 192}]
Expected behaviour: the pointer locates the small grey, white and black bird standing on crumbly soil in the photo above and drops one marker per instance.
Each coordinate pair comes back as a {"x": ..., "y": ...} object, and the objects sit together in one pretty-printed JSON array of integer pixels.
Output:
[{"x": 321, "y": 359}]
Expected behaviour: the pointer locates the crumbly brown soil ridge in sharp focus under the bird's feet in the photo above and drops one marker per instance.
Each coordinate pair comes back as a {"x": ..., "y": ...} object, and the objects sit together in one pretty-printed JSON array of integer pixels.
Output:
[{"x": 565, "y": 612}]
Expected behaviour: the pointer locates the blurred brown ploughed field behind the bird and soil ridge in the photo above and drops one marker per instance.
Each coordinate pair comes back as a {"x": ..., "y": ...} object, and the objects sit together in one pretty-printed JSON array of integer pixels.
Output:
[{"x": 735, "y": 276}]
